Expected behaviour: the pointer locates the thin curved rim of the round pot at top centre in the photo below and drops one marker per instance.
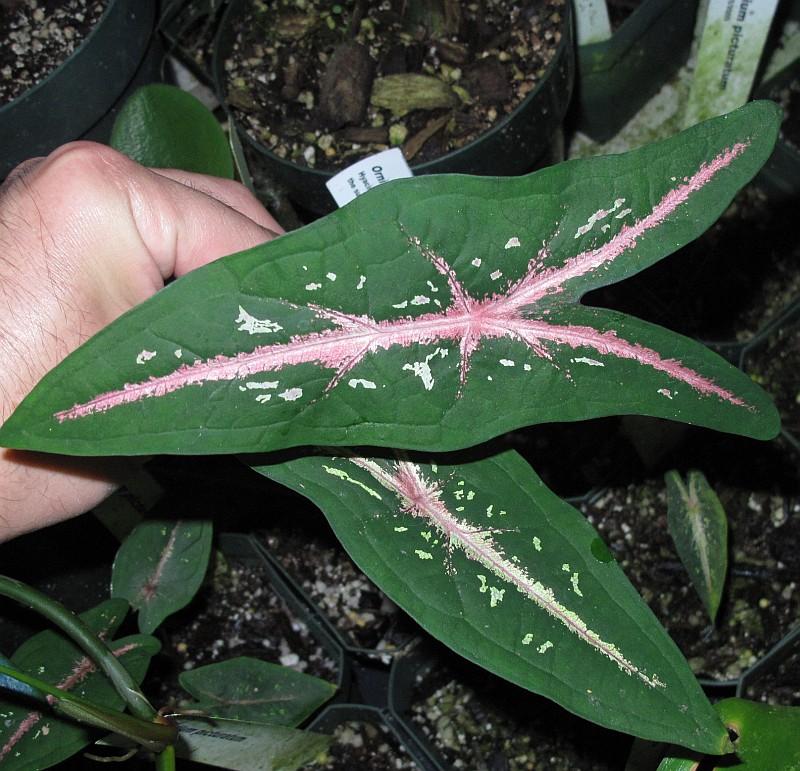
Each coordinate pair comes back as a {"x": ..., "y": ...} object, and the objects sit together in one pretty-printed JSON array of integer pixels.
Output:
[{"x": 427, "y": 167}]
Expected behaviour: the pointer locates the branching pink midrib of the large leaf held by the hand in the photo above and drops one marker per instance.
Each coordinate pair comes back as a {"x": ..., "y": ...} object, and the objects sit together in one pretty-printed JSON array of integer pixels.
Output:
[{"x": 467, "y": 321}]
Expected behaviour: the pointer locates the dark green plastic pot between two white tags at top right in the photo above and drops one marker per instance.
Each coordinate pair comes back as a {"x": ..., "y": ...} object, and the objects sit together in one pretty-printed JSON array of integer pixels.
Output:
[{"x": 617, "y": 76}]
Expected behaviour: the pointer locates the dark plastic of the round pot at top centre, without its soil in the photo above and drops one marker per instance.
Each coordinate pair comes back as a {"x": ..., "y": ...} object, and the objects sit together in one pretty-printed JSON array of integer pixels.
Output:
[{"x": 511, "y": 147}]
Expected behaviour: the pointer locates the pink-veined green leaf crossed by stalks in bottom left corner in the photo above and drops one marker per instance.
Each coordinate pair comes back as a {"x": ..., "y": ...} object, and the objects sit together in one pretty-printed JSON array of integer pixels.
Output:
[{"x": 32, "y": 737}]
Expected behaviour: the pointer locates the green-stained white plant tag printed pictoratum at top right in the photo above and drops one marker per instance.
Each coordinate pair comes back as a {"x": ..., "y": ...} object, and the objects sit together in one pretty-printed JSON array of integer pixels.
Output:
[{"x": 730, "y": 49}]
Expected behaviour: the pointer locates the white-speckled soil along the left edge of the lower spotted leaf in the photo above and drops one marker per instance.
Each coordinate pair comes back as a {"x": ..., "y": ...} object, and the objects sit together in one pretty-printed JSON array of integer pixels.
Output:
[{"x": 366, "y": 616}]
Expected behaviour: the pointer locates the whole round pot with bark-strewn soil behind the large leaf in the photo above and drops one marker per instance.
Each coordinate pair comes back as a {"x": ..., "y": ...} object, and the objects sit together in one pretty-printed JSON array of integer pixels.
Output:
[{"x": 456, "y": 89}]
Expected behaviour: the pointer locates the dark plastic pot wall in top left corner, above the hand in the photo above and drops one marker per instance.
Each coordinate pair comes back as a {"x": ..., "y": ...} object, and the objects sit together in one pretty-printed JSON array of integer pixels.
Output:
[{"x": 75, "y": 100}]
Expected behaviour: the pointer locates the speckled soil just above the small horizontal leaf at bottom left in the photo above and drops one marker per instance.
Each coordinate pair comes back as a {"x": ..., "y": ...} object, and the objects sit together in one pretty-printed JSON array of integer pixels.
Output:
[{"x": 237, "y": 613}]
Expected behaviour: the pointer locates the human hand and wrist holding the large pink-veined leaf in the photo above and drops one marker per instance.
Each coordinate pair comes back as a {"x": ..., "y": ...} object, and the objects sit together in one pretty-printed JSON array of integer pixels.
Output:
[{"x": 86, "y": 234}]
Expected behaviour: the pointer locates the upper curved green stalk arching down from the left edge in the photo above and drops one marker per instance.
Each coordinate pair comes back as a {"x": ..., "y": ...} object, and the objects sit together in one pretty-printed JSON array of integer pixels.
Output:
[{"x": 83, "y": 636}]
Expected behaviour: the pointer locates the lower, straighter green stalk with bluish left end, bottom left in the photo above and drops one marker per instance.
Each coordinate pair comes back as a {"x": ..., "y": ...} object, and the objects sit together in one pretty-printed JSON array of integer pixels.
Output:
[{"x": 152, "y": 735}]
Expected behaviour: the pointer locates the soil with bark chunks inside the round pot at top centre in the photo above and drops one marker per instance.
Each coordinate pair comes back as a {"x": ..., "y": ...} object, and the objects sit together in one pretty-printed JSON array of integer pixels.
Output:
[{"x": 324, "y": 85}]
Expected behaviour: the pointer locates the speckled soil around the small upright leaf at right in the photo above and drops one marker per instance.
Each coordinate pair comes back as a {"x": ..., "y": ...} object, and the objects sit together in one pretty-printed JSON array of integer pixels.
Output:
[{"x": 761, "y": 602}]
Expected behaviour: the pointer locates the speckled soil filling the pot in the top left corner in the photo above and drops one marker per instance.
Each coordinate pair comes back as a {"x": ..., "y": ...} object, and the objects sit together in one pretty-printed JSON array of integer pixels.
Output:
[{"x": 38, "y": 35}]
